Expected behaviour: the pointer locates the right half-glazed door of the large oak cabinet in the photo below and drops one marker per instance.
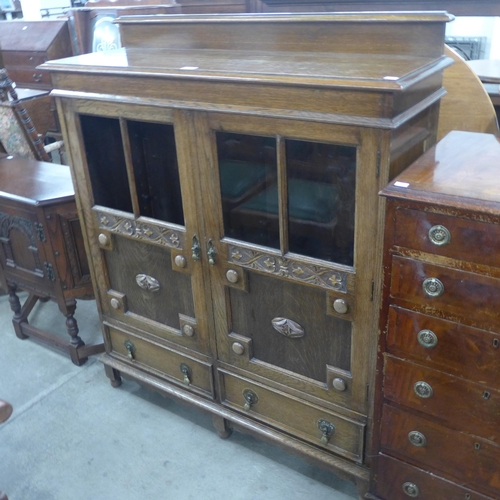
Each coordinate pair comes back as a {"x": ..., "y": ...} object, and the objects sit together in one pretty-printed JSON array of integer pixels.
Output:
[{"x": 289, "y": 252}]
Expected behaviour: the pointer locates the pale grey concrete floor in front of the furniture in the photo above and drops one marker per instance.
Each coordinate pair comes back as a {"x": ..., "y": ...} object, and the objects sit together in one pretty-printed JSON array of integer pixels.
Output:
[{"x": 73, "y": 437}]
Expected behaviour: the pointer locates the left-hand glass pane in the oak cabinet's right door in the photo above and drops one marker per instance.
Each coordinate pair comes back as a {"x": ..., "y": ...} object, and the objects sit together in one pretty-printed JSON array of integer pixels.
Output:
[{"x": 249, "y": 190}]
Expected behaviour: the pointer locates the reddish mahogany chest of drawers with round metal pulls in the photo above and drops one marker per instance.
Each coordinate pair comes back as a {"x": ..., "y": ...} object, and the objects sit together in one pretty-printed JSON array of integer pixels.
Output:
[{"x": 437, "y": 415}]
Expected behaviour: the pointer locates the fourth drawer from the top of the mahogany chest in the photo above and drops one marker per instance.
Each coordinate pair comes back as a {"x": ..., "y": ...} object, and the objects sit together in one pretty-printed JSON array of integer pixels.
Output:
[{"x": 461, "y": 404}]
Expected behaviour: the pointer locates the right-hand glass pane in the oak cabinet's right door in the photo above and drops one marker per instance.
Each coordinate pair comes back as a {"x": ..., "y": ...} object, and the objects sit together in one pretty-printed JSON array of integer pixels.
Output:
[{"x": 321, "y": 189}]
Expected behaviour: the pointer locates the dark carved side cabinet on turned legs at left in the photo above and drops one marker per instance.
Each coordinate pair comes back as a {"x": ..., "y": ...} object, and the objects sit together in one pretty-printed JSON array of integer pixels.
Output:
[{"x": 41, "y": 248}]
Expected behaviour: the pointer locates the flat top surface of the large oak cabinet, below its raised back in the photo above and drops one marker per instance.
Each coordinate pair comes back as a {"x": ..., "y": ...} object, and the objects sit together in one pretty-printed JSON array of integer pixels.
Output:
[{"x": 375, "y": 70}]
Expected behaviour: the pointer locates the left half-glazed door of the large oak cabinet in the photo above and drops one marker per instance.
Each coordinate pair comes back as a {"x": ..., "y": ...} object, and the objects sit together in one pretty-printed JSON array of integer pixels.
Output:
[{"x": 136, "y": 190}]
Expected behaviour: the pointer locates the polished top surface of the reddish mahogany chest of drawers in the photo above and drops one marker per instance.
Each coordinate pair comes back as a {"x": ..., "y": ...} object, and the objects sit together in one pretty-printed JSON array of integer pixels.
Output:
[{"x": 464, "y": 166}]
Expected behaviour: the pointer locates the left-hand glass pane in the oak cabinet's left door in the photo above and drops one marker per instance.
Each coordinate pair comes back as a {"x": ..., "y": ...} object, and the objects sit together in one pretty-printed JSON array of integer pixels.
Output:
[{"x": 106, "y": 162}]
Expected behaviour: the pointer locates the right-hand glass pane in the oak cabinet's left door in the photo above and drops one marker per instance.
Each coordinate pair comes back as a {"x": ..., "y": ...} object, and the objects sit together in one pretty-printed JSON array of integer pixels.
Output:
[{"x": 156, "y": 171}]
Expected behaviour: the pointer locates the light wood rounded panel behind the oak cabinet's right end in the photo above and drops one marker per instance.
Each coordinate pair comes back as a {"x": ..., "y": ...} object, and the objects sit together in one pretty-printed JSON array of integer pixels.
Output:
[{"x": 467, "y": 106}]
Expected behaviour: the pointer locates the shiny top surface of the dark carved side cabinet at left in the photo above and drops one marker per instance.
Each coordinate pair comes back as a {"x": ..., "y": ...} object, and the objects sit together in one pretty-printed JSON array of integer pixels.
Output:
[{"x": 34, "y": 182}]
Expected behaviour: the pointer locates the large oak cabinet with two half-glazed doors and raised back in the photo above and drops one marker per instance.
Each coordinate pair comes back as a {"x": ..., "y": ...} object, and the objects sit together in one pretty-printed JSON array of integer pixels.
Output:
[{"x": 228, "y": 170}]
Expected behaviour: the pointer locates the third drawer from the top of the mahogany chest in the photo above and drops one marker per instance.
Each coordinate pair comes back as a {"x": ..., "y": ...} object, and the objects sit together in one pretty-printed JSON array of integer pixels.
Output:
[{"x": 463, "y": 351}]
